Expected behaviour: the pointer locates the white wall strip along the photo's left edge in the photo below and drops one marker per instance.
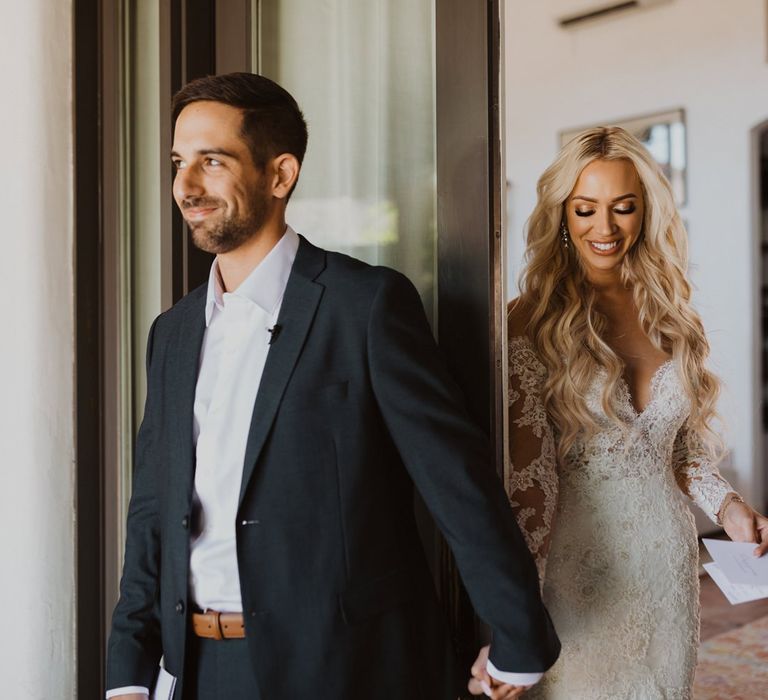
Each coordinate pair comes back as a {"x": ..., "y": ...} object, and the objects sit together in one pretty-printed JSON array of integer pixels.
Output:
[{"x": 36, "y": 354}]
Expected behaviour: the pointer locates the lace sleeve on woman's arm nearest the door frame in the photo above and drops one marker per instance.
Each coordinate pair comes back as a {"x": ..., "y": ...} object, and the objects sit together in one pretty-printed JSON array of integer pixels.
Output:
[{"x": 531, "y": 472}]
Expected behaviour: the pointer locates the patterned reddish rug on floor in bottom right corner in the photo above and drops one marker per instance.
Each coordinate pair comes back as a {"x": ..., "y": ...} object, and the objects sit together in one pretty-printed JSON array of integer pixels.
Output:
[{"x": 734, "y": 665}]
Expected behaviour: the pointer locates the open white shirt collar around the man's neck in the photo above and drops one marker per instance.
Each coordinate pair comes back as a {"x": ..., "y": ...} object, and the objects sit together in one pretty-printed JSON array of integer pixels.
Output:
[{"x": 266, "y": 283}]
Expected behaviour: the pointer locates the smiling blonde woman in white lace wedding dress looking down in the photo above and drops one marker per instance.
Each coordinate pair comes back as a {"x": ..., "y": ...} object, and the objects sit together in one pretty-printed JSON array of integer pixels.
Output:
[{"x": 611, "y": 409}]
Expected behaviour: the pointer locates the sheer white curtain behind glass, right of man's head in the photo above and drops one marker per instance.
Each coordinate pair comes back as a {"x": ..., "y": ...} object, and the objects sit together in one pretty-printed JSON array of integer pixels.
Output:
[{"x": 363, "y": 73}]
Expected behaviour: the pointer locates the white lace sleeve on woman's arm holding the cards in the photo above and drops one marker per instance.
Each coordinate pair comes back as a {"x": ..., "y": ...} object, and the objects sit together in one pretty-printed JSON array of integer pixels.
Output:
[{"x": 697, "y": 475}]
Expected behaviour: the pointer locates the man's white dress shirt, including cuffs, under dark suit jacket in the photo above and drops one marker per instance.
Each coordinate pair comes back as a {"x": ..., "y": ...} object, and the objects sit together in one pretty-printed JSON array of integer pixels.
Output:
[{"x": 232, "y": 358}]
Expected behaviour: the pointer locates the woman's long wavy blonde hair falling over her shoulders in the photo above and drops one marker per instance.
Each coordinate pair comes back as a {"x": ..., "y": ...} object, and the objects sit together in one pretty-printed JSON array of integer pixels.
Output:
[{"x": 564, "y": 325}]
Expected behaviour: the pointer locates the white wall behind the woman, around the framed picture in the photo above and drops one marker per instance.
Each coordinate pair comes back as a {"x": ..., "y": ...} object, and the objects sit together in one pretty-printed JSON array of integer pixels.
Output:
[{"x": 707, "y": 56}]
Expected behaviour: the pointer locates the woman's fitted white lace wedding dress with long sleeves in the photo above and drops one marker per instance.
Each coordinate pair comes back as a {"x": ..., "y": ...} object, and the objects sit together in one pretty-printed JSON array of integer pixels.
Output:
[{"x": 620, "y": 574}]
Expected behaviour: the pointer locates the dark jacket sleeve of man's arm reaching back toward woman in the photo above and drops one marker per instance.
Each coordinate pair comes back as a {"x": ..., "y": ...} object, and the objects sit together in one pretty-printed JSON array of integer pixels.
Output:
[{"x": 448, "y": 459}]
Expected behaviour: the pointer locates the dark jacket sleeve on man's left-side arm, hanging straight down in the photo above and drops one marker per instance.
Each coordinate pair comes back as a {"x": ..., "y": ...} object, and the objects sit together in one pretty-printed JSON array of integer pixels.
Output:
[{"x": 135, "y": 647}]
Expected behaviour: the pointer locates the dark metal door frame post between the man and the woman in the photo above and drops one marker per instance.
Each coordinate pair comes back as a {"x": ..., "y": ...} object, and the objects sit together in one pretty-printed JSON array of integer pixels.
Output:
[{"x": 469, "y": 217}]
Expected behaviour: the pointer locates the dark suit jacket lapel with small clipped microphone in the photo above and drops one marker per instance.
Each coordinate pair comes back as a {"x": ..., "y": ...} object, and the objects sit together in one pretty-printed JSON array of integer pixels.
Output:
[{"x": 302, "y": 295}]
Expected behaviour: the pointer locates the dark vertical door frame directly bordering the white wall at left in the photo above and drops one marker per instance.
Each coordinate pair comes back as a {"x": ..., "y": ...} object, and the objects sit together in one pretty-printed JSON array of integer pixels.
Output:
[{"x": 89, "y": 619}]
